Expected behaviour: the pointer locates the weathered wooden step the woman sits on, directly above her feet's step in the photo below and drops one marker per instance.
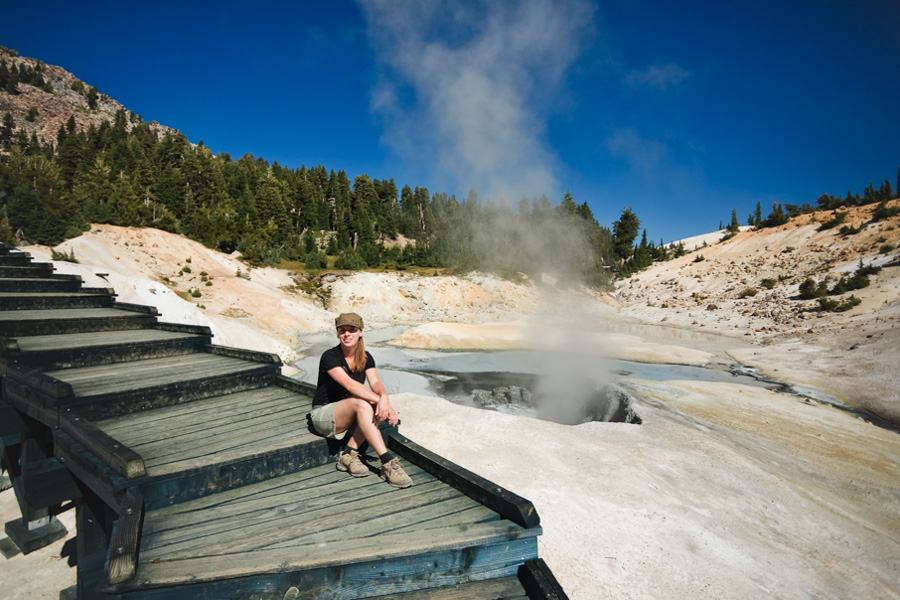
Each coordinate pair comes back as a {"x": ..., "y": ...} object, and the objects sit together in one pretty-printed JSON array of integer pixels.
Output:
[{"x": 218, "y": 443}]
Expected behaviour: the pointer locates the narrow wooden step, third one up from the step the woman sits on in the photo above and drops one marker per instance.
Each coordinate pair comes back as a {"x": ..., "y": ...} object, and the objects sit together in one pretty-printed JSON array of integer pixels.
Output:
[{"x": 75, "y": 320}]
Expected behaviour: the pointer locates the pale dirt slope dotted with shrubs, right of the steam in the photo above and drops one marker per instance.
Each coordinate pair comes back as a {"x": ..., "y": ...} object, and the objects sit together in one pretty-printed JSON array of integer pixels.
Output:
[{"x": 849, "y": 354}]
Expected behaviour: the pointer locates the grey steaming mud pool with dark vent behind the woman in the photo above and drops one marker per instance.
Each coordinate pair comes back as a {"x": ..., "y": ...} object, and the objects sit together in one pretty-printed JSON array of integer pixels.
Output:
[{"x": 549, "y": 386}]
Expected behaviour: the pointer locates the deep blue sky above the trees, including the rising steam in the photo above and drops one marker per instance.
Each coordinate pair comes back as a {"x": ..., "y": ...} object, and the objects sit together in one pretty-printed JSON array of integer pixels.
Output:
[{"x": 681, "y": 110}]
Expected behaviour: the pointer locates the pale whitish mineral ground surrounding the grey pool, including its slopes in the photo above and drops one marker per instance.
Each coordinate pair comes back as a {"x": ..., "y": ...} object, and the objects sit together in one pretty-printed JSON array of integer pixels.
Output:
[{"x": 724, "y": 491}]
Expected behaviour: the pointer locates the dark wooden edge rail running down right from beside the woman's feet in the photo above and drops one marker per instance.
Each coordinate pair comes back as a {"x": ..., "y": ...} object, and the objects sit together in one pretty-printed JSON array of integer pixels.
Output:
[{"x": 509, "y": 505}]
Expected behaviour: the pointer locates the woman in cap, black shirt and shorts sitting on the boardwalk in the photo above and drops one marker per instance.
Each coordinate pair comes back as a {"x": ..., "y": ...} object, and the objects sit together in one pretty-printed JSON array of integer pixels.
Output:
[{"x": 343, "y": 403}]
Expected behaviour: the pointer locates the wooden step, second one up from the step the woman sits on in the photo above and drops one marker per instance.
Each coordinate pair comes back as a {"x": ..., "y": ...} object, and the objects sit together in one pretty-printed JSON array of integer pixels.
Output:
[{"x": 60, "y": 351}]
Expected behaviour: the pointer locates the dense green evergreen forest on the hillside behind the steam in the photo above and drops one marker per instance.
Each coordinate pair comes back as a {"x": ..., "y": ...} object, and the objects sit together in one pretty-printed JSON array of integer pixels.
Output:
[{"x": 125, "y": 173}]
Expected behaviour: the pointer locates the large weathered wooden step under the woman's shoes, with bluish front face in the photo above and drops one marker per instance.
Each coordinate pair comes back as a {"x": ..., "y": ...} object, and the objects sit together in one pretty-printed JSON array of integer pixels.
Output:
[{"x": 329, "y": 535}]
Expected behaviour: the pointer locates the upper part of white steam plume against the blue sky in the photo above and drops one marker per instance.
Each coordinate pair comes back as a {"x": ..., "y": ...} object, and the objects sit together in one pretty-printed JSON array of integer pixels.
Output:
[{"x": 470, "y": 83}]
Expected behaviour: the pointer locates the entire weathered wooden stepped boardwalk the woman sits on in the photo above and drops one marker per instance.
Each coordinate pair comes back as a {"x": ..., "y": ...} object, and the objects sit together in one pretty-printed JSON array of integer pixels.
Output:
[{"x": 193, "y": 473}]
